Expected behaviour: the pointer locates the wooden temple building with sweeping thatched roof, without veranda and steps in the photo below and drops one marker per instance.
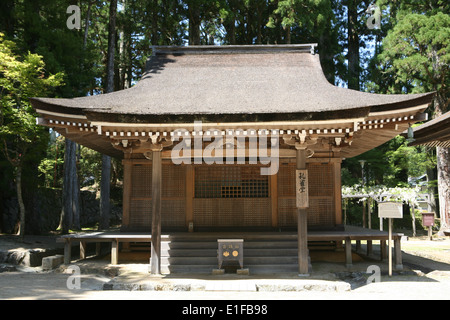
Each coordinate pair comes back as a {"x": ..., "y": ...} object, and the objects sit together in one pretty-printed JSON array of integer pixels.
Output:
[{"x": 232, "y": 138}]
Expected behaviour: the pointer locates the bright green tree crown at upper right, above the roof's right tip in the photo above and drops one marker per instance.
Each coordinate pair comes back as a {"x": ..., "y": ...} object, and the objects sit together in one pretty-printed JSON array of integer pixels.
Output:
[{"x": 417, "y": 51}]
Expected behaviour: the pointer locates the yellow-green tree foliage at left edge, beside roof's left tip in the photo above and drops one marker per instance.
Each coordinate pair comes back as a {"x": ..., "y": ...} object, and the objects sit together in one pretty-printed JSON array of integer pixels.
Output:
[{"x": 21, "y": 79}]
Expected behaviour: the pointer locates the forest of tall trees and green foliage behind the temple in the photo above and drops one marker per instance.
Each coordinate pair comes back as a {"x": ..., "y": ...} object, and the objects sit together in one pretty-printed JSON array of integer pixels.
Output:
[{"x": 384, "y": 46}]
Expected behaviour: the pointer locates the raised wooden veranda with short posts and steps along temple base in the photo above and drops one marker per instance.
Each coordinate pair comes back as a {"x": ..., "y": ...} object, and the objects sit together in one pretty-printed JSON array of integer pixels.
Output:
[{"x": 265, "y": 239}]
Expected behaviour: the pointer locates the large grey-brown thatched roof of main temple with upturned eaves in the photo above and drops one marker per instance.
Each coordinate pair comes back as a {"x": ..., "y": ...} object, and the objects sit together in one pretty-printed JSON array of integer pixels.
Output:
[{"x": 226, "y": 83}]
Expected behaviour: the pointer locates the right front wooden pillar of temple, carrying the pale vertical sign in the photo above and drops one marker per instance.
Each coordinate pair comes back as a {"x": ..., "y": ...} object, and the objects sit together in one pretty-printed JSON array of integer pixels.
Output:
[{"x": 302, "y": 228}]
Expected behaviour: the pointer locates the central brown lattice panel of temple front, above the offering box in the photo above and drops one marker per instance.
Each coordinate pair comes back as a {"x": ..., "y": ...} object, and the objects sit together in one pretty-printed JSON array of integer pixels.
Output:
[{"x": 231, "y": 196}]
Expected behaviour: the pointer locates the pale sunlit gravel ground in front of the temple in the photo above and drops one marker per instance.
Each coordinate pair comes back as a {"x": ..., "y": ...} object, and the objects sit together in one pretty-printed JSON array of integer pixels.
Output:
[{"x": 426, "y": 275}]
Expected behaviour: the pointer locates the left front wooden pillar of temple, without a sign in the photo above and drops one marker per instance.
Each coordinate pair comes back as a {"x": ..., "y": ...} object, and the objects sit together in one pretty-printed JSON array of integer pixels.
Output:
[{"x": 155, "y": 259}]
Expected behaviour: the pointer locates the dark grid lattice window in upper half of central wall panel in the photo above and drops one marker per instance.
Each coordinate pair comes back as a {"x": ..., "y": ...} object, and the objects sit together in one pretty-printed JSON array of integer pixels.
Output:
[{"x": 230, "y": 182}]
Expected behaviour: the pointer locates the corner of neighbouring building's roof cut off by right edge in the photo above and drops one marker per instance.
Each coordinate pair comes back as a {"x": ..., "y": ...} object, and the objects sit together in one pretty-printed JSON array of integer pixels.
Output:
[{"x": 434, "y": 133}]
